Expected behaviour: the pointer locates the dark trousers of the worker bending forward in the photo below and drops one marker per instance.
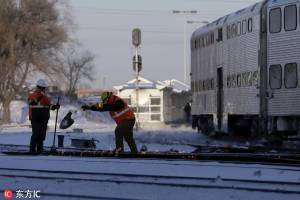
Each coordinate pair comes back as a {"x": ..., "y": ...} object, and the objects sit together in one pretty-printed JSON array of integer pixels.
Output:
[{"x": 124, "y": 130}]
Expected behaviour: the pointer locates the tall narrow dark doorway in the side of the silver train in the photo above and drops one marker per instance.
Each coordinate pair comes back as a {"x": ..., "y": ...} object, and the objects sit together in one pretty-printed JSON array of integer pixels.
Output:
[{"x": 220, "y": 97}]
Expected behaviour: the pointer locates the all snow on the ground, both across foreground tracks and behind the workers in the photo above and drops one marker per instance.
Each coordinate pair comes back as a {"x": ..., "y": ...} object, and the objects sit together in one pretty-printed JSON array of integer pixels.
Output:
[{"x": 115, "y": 178}]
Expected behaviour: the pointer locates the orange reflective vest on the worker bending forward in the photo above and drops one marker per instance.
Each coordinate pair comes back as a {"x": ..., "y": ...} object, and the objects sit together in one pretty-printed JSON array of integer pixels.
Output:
[{"x": 123, "y": 114}]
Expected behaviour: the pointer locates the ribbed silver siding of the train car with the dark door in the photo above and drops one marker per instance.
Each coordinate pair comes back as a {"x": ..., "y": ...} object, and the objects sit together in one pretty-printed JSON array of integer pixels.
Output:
[{"x": 237, "y": 56}]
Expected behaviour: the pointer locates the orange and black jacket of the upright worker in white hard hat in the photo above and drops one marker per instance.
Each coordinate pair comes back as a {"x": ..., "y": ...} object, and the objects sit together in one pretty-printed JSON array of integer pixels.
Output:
[{"x": 39, "y": 106}]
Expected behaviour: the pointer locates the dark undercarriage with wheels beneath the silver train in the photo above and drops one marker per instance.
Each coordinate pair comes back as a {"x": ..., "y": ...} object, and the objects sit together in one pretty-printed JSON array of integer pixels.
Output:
[{"x": 247, "y": 125}]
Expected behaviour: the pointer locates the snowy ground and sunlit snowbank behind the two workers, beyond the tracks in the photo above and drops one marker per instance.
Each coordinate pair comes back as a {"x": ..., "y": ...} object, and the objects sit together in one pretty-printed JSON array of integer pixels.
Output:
[{"x": 100, "y": 127}]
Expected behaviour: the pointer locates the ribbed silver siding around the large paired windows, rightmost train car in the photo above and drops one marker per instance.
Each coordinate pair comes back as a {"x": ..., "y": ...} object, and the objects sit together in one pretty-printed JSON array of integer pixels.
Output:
[{"x": 284, "y": 48}]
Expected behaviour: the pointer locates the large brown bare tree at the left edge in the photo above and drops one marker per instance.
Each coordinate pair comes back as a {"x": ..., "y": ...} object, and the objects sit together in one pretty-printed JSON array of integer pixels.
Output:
[{"x": 31, "y": 36}]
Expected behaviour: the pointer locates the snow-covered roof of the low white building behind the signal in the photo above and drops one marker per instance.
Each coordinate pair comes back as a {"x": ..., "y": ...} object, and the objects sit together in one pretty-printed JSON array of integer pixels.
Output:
[{"x": 144, "y": 83}]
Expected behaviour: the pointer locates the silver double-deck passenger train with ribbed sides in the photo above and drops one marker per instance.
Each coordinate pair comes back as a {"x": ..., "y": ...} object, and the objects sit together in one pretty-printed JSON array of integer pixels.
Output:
[{"x": 245, "y": 70}]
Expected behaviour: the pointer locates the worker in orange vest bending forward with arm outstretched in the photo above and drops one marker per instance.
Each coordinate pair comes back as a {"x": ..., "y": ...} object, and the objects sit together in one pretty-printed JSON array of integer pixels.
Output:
[{"x": 122, "y": 115}]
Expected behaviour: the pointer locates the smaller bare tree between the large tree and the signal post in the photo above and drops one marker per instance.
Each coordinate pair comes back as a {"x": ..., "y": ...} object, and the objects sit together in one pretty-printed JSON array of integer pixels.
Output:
[{"x": 79, "y": 67}]
